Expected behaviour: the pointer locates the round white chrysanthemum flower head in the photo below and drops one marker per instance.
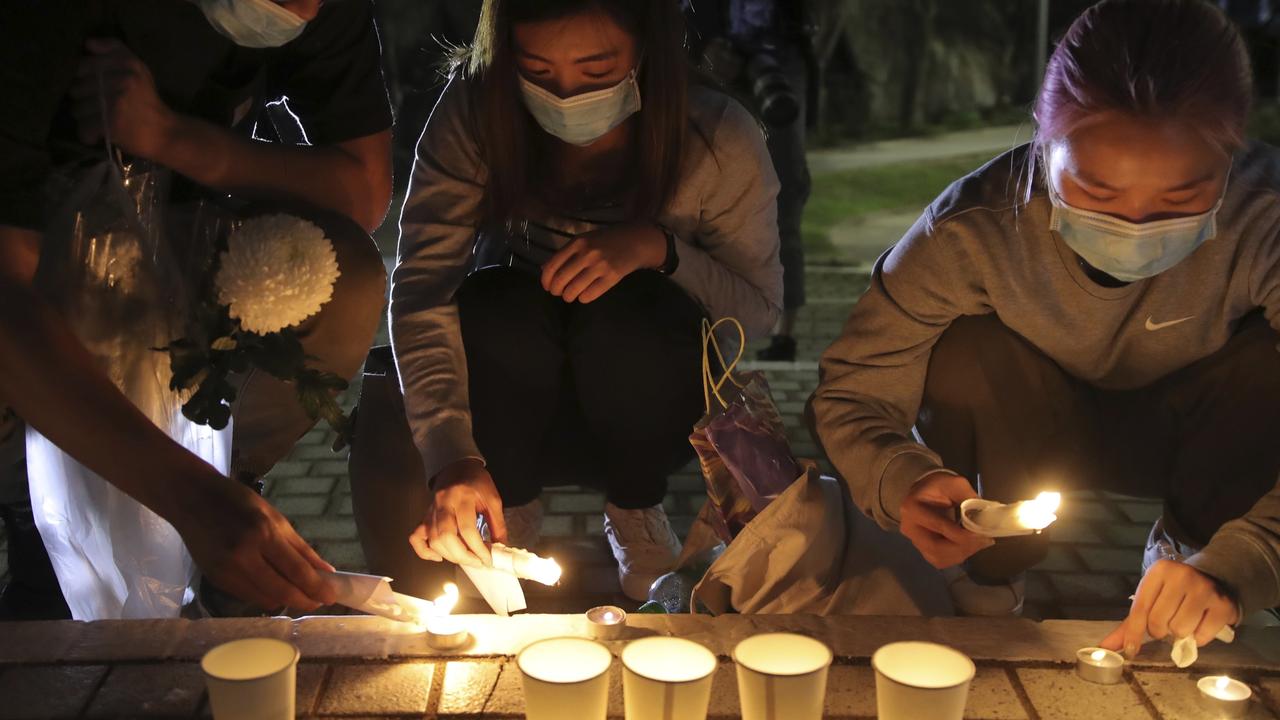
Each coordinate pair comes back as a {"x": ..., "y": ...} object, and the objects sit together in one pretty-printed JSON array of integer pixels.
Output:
[{"x": 277, "y": 272}]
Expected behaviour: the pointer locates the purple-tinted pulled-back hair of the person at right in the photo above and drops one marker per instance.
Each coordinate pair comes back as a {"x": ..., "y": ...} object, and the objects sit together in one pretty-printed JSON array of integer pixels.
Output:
[{"x": 1163, "y": 60}]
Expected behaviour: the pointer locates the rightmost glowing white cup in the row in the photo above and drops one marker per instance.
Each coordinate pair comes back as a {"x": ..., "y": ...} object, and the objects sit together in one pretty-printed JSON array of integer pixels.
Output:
[{"x": 916, "y": 680}]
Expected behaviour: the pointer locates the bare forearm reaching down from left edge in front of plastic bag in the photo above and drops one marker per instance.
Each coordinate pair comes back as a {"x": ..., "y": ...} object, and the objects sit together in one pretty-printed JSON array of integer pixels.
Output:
[{"x": 53, "y": 382}]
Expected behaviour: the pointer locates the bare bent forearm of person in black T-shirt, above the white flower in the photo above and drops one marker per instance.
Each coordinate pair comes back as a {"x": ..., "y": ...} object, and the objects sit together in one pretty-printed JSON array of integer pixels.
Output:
[{"x": 331, "y": 177}]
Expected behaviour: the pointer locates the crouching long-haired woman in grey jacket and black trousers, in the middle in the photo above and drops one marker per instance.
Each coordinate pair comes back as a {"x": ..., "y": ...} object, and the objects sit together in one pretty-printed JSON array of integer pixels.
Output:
[{"x": 578, "y": 208}]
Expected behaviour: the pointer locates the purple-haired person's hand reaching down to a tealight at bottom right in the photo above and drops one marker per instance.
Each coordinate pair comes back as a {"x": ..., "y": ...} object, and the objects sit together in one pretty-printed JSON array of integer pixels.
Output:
[{"x": 1176, "y": 600}]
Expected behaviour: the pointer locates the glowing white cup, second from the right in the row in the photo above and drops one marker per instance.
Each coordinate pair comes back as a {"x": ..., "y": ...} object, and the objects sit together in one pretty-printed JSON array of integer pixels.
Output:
[{"x": 783, "y": 677}]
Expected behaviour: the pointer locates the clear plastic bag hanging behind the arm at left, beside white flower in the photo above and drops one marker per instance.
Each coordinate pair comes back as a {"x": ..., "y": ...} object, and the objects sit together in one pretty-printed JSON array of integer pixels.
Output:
[{"x": 124, "y": 276}]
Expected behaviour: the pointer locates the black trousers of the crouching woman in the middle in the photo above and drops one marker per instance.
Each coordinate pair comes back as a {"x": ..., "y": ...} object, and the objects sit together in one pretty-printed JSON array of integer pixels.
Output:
[{"x": 604, "y": 394}]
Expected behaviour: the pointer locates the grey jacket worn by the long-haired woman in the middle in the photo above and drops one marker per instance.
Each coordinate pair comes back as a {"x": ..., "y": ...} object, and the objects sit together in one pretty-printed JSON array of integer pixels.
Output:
[{"x": 724, "y": 216}]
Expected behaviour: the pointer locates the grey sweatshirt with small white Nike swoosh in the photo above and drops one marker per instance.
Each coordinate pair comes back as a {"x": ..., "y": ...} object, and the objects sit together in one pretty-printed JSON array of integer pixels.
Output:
[{"x": 984, "y": 248}]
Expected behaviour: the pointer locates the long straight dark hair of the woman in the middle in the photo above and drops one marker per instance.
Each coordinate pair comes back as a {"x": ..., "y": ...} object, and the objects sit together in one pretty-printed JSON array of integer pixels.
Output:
[{"x": 509, "y": 135}]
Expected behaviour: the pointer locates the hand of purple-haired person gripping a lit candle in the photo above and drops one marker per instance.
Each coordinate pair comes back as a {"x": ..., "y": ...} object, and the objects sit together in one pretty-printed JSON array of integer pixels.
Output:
[{"x": 929, "y": 520}]
